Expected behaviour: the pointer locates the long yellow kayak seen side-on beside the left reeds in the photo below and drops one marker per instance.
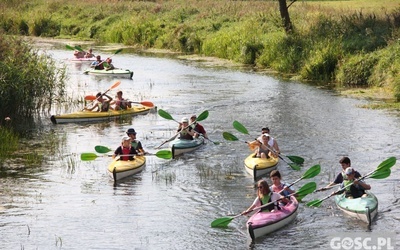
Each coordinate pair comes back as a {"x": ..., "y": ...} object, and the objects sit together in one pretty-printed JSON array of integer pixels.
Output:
[{"x": 91, "y": 116}]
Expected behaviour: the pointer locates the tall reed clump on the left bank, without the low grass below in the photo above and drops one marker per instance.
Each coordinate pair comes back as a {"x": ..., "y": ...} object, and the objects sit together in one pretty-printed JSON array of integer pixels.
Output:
[{"x": 29, "y": 82}]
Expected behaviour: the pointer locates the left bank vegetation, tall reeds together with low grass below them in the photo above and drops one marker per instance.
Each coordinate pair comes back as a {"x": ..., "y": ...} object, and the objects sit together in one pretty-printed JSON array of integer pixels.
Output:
[{"x": 29, "y": 84}]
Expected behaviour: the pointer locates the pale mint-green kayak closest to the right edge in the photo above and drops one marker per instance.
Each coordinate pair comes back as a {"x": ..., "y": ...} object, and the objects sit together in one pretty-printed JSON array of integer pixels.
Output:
[{"x": 363, "y": 208}]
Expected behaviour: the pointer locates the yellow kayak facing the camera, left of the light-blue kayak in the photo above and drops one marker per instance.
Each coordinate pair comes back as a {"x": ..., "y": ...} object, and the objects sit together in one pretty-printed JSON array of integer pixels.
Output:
[{"x": 120, "y": 169}]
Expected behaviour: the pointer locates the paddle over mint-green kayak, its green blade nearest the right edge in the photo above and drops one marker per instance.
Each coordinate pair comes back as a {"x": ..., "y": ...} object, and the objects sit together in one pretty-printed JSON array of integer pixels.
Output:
[{"x": 381, "y": 172}]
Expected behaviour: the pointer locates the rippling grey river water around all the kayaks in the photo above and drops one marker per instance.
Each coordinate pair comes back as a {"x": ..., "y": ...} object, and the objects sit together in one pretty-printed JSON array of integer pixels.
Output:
[{"x": 71, "y": 204}]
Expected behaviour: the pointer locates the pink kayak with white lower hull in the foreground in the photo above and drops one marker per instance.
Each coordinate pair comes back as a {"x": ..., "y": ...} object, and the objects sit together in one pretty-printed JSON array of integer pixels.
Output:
[{"x": 263, "y": 223}]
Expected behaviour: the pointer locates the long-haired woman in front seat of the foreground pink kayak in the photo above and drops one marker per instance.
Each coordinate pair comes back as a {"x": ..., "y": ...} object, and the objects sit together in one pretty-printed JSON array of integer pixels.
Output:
[{"x": 264, "y": 196}]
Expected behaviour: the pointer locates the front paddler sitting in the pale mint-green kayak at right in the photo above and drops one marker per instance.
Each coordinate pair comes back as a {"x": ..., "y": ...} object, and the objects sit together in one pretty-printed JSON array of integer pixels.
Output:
[{"x": 357, "y": 187}]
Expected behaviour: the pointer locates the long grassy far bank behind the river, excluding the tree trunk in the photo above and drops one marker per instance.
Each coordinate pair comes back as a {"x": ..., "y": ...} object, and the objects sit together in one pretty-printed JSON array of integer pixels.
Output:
[{"x": 346, "y": 44}]
